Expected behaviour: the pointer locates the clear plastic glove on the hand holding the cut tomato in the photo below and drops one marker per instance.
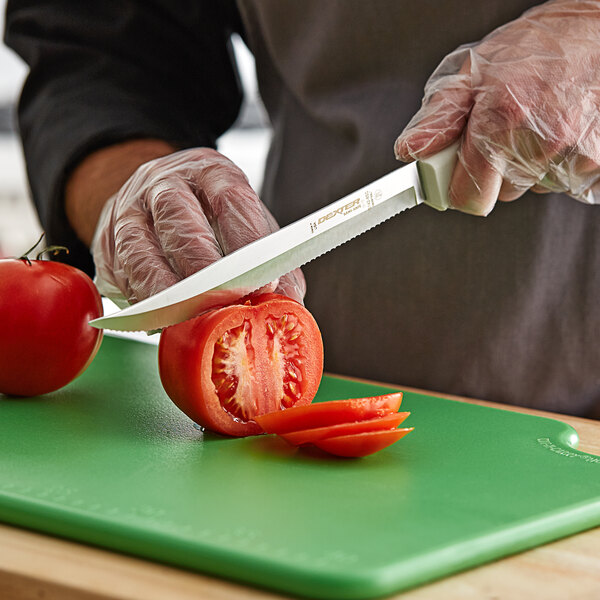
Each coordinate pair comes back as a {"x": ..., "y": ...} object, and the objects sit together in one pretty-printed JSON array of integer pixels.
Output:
[{"x": 174, "y": 216}]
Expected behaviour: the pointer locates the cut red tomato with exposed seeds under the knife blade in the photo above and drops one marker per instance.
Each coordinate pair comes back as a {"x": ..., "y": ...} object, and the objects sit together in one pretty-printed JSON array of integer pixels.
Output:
[{"x": 228, "y": 366}]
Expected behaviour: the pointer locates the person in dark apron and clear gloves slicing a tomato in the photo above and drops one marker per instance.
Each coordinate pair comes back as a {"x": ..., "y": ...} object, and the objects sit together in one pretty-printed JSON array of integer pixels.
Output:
[{"x": 124, "y": 102}]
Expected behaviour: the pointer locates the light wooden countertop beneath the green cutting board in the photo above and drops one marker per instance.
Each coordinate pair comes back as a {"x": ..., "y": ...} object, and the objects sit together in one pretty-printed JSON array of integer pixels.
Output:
[{"x": 36, "y": 566}]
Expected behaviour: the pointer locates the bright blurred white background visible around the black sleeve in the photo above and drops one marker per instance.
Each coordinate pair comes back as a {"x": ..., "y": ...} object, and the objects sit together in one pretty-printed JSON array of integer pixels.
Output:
[{"x": 246, "y": 144}]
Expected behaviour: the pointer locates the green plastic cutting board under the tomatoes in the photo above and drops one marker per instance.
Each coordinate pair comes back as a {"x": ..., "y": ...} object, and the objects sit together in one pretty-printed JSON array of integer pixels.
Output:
[{"x": 109, "y": 461}]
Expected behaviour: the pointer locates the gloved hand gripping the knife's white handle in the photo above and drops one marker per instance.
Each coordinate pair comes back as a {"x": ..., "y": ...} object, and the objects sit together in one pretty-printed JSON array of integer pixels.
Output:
[{"x": 526, "y": 101}]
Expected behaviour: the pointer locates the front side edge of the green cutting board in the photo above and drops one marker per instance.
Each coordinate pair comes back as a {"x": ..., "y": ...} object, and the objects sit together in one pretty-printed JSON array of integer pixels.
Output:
[{"x": 368, "y": 584}]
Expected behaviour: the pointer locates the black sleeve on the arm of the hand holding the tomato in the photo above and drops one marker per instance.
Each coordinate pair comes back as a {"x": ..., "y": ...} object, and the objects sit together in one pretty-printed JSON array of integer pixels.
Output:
[{"x": 103, "y": 72}]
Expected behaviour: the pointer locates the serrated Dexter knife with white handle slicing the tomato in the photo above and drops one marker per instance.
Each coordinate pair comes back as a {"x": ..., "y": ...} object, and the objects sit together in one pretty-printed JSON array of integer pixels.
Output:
[{"x": 264, "y": 260}]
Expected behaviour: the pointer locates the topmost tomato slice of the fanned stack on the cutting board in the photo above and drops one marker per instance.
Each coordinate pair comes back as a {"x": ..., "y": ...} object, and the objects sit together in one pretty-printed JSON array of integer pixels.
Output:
[{"x": 334, "y": 412}]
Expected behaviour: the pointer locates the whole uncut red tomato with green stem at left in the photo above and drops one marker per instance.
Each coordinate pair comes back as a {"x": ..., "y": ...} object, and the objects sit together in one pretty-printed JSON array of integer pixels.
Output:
[{"x": 45, "y": 339}]
